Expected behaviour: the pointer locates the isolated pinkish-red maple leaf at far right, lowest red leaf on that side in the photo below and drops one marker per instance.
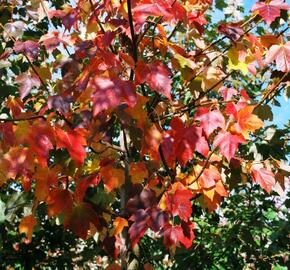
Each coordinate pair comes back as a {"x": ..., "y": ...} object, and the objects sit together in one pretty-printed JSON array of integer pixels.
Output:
[{"x": 264, "y": 177}]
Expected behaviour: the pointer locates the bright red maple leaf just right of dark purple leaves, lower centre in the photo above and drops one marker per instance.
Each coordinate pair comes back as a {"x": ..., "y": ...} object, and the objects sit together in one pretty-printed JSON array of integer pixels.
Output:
[{"x": 179, "y": 203}]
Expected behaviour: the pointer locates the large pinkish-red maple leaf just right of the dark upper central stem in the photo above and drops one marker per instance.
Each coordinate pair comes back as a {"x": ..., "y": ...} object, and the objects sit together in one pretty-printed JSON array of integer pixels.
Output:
[{"x": 156, "y": 75}]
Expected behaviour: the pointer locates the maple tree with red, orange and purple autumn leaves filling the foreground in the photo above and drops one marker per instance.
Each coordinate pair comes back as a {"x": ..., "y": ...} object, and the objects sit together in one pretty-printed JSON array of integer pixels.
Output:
[{"x": 119, "y": 117}]
